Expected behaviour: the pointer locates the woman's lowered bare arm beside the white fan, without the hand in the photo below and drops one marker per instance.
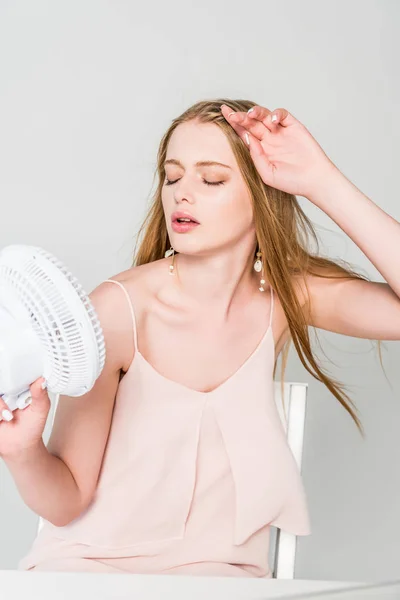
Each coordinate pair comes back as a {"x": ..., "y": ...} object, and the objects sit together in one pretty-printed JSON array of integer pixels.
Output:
[{"x": 58, "y": 482}]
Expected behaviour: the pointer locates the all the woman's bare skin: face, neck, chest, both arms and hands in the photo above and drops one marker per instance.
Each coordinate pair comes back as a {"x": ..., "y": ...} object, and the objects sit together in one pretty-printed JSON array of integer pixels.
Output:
[{"x": 210, "y": 313}]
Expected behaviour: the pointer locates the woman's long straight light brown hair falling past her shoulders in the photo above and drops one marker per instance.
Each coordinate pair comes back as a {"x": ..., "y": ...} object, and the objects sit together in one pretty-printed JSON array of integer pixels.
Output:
[{"x": 283, "y": 233}]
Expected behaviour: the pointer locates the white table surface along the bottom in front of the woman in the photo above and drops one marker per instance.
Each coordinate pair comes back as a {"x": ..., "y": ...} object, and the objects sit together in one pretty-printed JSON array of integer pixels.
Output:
[{"x": 50, "y": 585}]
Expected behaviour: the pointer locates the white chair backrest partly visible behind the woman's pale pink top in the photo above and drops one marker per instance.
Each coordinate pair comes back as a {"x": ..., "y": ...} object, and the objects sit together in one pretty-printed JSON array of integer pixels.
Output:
[{"x": 291, "y": 406}]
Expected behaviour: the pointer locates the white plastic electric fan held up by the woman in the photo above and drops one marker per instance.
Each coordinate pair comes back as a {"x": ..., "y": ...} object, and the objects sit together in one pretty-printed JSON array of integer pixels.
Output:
[{"x": 48, "y": 327}]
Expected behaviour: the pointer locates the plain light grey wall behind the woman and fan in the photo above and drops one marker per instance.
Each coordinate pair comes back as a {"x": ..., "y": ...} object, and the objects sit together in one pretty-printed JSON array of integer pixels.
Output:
[{"x": 87, "y": 88}]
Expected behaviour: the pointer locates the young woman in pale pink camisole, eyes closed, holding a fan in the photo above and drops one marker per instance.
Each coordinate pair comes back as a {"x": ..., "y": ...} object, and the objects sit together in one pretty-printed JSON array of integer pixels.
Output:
[{"x": 176, "y": 461}]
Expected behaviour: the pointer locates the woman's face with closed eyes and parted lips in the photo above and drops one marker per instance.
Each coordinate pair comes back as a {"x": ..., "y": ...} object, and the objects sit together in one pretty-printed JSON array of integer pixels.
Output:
[{"x": 214, "y": 195}]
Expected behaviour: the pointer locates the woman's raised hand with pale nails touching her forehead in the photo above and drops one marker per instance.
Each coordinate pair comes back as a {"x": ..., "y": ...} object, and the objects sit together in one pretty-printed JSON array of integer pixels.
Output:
[{"x": 284, "y": 152}]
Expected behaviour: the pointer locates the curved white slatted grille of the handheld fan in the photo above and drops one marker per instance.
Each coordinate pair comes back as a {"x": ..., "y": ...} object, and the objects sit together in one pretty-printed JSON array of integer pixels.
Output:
[{"x": 61, "y": 315}]
